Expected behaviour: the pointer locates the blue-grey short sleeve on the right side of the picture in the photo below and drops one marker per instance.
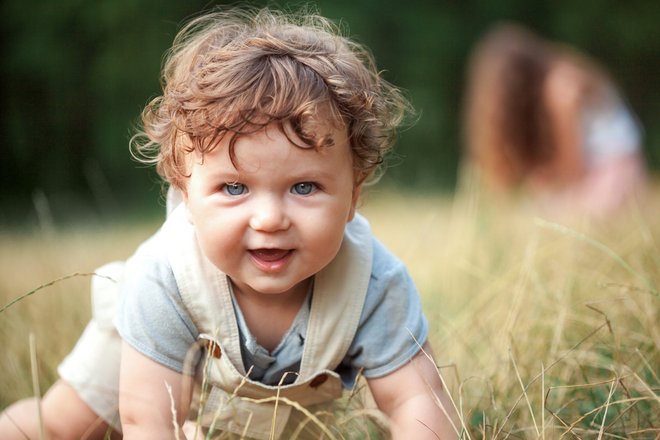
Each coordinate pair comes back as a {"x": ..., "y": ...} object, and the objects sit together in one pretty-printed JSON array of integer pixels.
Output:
[{"x": 392, "y": 326}]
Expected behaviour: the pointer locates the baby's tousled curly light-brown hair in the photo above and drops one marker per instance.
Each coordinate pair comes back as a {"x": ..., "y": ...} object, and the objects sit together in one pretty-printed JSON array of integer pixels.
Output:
[{"x": 234, "y": 72}]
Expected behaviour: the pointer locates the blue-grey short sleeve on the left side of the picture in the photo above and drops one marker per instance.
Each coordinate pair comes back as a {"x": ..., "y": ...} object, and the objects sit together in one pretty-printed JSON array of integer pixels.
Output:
[{"x": 151, "y": 316}]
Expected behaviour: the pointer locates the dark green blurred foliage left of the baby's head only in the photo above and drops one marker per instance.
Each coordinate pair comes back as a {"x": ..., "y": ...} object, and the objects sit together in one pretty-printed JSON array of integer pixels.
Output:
[{"x": 74, "y": 77}]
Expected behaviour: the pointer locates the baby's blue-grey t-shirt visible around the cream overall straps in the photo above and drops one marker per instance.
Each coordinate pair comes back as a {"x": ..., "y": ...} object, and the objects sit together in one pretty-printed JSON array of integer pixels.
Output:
[{"x": 153, "y": 319}]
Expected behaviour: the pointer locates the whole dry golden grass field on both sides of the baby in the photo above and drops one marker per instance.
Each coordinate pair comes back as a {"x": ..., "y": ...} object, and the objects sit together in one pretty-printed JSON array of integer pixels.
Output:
[{"x": 542, "y": 329}]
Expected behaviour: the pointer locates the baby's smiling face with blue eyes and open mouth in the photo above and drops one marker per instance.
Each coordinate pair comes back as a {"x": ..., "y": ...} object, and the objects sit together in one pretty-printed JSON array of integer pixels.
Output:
[{"x": 279, "y": 218}]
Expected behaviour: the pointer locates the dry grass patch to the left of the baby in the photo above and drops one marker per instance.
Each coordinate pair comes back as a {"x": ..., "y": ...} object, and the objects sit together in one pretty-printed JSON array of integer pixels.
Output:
[{"x": 55, "y": 314}]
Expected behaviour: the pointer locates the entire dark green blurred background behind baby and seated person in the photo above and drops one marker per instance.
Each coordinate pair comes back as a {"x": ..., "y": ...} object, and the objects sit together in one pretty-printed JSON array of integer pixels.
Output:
[{"x": 75, "y": 75}]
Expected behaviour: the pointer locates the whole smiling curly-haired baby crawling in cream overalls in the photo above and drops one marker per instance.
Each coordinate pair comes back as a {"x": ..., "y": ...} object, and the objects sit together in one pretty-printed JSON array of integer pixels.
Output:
[{"x": 266, "y": 131}]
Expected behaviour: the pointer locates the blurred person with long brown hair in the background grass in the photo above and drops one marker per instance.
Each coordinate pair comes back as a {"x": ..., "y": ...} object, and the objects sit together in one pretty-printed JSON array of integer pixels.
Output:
[{"x": 545, "y": 120}]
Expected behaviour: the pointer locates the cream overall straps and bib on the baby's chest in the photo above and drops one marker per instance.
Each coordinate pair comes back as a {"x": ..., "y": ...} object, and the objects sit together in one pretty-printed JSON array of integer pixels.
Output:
[{"x": 235, "y": 403}]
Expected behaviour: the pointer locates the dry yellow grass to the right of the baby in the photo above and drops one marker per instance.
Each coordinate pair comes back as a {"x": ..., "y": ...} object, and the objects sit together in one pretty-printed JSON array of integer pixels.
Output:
[{"x": 546, "y": 329}]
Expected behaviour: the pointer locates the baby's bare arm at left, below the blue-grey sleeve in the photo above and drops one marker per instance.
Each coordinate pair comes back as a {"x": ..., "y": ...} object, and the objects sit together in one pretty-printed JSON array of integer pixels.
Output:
[{"x": 145, "y": 404}]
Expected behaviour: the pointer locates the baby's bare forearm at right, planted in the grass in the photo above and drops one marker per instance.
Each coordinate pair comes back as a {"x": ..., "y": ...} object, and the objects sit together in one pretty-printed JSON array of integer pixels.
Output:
[{"x": 412, "y": 397}]
